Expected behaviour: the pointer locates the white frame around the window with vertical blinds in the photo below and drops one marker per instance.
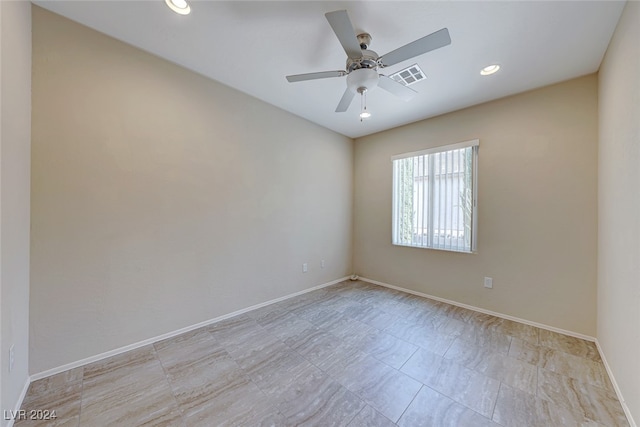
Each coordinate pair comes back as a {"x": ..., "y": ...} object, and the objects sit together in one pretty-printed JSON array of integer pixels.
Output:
[{"x": 474, "y": 144}]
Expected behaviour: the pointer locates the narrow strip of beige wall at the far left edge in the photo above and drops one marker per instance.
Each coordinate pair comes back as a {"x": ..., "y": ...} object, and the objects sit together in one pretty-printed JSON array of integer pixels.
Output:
[{"x": 15, "y": 131}]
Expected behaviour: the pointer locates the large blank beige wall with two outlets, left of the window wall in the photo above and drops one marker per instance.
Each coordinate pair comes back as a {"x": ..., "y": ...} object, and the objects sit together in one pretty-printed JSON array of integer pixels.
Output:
[{"x": 162, "y": 199}]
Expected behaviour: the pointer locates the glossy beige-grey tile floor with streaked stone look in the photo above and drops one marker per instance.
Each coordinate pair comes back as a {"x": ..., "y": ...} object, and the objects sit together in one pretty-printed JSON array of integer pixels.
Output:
[{"x": 353, "y": 354}]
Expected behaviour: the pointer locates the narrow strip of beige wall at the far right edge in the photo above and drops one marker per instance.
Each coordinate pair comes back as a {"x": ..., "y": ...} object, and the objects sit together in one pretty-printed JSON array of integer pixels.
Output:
[{"x": 619, "y": 207}]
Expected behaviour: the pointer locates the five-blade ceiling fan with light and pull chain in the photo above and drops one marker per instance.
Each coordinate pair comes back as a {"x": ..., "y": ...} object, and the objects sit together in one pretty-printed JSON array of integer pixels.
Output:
[{"x": 363, "y": 64}]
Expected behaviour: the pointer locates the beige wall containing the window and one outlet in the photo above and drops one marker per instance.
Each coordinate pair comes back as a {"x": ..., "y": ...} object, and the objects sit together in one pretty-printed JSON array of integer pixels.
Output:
[{"x": 536, "y": 209}]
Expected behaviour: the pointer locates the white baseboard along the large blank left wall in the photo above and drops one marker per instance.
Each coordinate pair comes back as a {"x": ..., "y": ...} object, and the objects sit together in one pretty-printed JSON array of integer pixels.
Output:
[{"x": 172, "y": 334}]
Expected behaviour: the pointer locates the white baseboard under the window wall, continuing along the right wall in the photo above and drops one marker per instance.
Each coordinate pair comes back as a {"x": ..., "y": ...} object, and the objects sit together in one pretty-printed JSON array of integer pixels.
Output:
[{"x": 625, "y": 408}]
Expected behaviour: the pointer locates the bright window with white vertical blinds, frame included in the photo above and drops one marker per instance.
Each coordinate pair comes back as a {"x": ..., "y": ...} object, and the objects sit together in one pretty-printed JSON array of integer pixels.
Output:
[{"x": 435, "y": 197}]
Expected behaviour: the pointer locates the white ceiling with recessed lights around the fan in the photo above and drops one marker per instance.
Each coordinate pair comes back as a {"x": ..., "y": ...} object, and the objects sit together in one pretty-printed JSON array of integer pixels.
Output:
[{"x": 252, "y": 46}]
